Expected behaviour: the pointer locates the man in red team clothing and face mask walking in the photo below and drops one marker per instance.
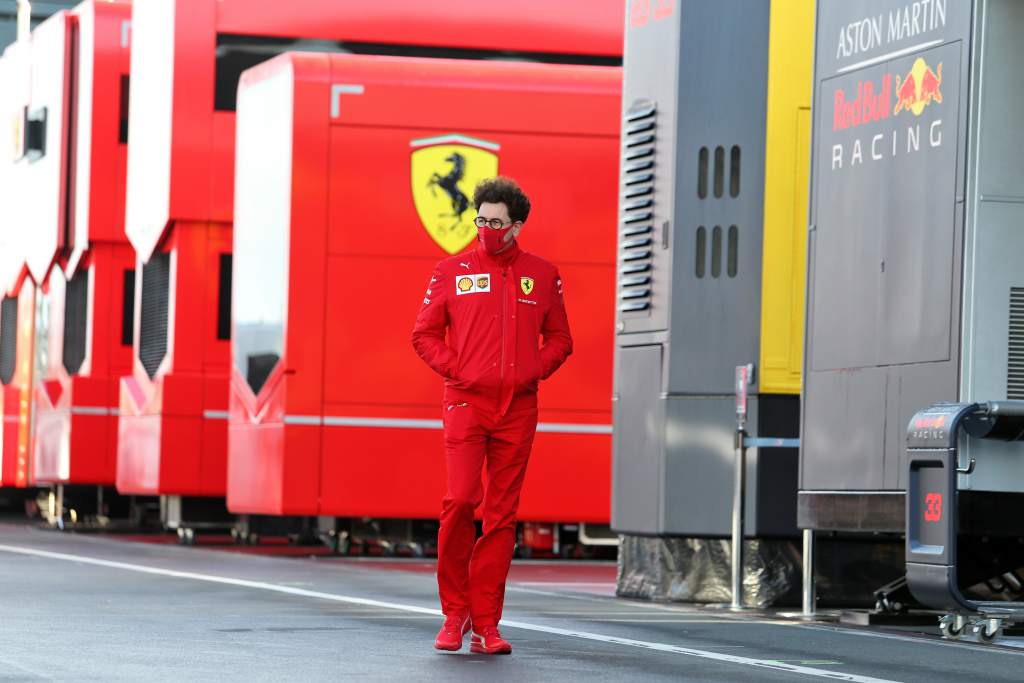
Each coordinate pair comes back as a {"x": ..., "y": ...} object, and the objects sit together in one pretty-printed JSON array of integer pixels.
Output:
[{"x": 495, "y": 305}]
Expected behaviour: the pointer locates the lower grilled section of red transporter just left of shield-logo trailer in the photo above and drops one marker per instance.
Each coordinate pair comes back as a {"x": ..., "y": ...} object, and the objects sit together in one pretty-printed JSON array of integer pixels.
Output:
[{"x": 173, "y": 436}]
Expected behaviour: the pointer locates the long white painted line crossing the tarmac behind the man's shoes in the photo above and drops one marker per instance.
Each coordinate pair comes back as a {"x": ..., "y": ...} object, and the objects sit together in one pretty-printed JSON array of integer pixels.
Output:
[{"x": 570, "y": 633}]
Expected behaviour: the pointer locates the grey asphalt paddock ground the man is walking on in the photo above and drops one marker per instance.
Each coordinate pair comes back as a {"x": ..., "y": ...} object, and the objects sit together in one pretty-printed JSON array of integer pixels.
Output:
[{"x": 96, "y": 609}]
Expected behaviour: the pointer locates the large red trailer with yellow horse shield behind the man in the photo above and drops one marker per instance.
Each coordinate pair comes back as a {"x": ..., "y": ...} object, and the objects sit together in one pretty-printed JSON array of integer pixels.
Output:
[{"x": 350, "y": 238}]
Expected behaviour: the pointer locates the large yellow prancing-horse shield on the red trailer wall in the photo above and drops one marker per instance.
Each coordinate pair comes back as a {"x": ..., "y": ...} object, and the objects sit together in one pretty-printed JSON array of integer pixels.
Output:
[{"x": 445, "y": 172}]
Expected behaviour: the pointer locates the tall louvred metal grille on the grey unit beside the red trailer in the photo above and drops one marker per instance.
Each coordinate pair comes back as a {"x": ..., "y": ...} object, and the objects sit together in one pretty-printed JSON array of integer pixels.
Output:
[{"x": 636, "y": 233}]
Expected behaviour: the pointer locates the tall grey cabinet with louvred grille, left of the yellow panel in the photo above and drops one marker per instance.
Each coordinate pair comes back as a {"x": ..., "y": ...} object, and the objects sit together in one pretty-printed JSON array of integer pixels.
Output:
[{"x": 689, "y": 293}]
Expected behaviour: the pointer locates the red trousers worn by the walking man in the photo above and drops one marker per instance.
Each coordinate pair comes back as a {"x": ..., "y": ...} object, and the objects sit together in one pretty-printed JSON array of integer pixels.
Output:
[{"x": 472, "y": 572}]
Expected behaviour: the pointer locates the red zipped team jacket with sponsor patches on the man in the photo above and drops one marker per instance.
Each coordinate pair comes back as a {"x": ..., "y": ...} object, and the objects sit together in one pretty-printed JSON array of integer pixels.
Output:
[{"x": 495, "y": 310}]
